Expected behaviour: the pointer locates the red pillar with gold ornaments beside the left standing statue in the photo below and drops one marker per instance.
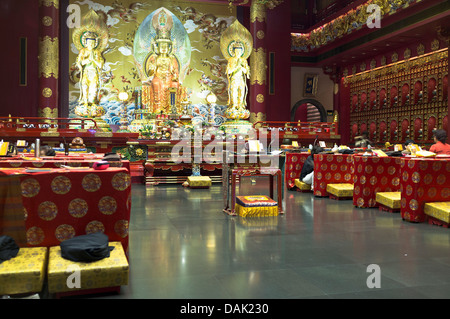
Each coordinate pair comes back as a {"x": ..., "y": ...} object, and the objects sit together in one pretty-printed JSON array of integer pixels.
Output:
[{"x": 48, "y": 58}]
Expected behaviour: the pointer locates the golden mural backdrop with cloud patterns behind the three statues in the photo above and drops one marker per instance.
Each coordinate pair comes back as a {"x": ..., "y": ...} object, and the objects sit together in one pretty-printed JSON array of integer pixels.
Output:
[{"x": 203, "y": 23}]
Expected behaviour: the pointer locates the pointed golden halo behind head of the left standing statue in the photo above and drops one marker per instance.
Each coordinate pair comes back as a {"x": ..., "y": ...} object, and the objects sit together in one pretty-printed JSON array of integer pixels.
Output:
[{"x": 92, "y": 26}]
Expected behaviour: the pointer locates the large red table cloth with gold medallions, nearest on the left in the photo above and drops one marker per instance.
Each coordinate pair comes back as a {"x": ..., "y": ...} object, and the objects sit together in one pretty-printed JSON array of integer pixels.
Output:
[{"x": 62, "y": 203}]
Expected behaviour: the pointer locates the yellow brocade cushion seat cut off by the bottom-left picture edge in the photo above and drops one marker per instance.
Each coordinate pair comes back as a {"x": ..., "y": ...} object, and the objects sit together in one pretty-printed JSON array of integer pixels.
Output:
[{"x": 24, "y": 273}]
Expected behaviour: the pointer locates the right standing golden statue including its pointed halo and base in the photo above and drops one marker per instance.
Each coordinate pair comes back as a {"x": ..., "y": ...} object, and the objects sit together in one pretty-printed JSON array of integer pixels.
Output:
[{"x": 236, "y": 45}]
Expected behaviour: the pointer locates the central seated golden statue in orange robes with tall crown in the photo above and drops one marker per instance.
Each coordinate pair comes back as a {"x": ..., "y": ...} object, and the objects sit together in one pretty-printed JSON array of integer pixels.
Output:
[{"x": 163, "y": 69}]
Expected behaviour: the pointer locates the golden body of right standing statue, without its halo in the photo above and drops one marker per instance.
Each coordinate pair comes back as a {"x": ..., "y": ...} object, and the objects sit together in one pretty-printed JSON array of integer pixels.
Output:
[{"x": 238, "y": 72}]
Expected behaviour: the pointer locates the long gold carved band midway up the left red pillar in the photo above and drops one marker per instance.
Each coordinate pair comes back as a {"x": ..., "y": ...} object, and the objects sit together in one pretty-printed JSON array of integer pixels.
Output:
[{"x": 49, "y": 57}]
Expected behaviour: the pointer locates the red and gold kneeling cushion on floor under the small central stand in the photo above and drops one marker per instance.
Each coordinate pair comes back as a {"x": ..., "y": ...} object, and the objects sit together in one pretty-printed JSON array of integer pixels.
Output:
[{"x": 256, "y": 206}]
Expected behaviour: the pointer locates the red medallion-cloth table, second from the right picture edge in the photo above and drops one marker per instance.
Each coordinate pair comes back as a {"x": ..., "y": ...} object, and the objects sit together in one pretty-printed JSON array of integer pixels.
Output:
[{"x": 374, "y": 174}]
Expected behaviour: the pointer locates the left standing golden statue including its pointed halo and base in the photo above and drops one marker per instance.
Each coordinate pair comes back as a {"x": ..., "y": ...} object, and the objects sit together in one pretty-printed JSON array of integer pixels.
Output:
[{"x": 90, "y": 39}]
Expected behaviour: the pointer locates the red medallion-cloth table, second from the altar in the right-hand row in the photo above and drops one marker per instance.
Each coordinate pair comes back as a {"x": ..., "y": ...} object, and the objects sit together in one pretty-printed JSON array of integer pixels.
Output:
[{"x": 332, "y": 169}]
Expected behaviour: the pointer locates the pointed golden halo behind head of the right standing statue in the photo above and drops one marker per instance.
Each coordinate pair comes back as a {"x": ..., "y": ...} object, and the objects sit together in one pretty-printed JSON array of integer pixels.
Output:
[{"x": 236, "y": 35}]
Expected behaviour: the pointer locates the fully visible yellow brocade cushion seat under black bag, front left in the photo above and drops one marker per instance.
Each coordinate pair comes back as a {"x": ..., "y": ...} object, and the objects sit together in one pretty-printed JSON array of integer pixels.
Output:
[{"x": 108, "y": 272}]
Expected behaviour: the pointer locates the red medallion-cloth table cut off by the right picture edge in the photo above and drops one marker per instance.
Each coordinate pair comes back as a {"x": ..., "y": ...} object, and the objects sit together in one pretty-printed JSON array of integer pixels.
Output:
[{"x": 423, "y": 180}]
